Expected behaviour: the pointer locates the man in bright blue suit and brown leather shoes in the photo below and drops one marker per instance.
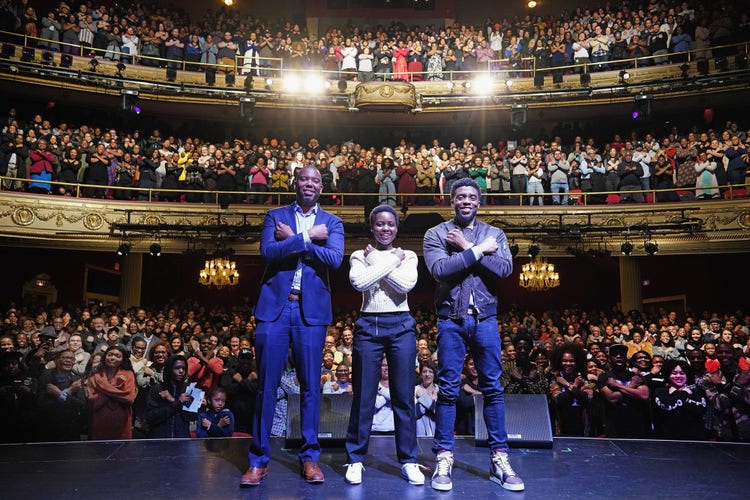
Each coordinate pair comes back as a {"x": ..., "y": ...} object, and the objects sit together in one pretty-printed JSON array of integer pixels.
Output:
[{"x": 300, "y": 244}]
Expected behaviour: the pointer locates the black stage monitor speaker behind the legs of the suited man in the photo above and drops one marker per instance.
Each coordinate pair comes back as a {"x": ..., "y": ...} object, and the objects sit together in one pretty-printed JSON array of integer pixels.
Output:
[{"x": 334, "y": 418}]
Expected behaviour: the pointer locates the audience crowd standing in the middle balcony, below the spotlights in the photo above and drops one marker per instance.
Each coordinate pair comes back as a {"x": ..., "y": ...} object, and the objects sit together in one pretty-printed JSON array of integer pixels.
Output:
[{"x": 699, "y": 162}]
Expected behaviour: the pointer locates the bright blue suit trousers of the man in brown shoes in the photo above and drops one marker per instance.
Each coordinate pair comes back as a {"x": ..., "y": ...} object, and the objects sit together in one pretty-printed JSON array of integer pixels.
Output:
[{"x": 272, "y": 339}]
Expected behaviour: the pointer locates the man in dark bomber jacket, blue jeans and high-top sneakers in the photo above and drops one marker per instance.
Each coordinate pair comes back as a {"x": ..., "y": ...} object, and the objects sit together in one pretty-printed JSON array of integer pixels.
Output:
[{"x": 467, "y": 258}]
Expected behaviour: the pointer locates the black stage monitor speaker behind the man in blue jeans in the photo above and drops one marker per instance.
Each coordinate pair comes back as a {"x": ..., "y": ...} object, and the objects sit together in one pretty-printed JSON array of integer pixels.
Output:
[{"x": 527, "y": 421}]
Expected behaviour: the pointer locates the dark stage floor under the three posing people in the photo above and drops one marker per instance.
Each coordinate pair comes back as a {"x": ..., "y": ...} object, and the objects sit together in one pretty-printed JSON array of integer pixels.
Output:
[{"x": 186, "y": 469}]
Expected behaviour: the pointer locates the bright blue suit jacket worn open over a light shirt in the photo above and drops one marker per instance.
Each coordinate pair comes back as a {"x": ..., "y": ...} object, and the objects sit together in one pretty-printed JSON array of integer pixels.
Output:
[{"x": 282, "y": 257}]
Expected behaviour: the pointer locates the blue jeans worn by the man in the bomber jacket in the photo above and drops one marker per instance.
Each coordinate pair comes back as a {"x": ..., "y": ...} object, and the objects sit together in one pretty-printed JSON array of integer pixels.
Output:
[{"x": 481, "y": 337}]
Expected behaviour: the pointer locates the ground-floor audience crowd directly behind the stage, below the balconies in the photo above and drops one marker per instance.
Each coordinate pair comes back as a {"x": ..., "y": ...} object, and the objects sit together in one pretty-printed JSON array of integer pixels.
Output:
[{"x": 102, "y": 372}]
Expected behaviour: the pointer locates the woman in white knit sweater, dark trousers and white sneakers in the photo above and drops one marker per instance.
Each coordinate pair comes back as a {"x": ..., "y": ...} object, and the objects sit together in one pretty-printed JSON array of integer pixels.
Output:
[{"x": 384, "y": 275}]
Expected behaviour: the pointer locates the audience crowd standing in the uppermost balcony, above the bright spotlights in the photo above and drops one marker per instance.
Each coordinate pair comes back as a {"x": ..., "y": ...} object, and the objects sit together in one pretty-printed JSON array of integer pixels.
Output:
[{"x": 229, "y": 41}]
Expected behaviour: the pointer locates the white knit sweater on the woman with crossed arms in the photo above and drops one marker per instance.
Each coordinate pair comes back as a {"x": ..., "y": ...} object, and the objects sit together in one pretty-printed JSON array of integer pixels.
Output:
[{"x": 383, "y": 279}]
